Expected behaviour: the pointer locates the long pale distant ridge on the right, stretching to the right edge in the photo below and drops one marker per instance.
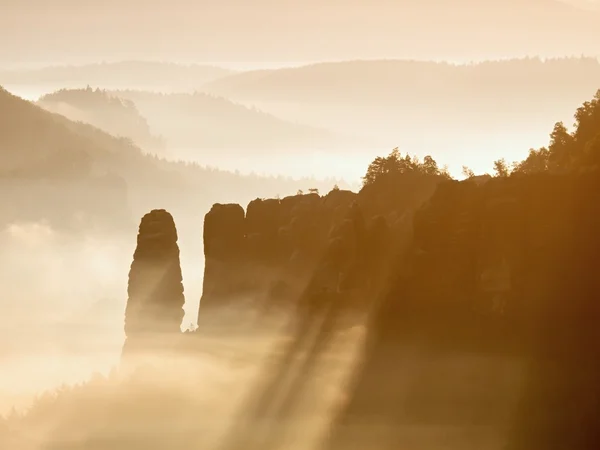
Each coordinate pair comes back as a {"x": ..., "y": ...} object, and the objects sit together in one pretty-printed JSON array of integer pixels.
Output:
[{"x": 386, "y": 82}]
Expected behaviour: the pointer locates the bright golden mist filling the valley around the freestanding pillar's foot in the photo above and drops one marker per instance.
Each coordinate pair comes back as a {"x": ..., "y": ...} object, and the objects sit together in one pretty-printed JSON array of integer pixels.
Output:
[{"x": 63, "y": 379}]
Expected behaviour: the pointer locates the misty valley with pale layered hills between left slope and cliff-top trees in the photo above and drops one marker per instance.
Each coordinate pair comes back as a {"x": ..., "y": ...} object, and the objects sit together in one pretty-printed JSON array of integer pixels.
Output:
[{"x": 295, "y": 121}]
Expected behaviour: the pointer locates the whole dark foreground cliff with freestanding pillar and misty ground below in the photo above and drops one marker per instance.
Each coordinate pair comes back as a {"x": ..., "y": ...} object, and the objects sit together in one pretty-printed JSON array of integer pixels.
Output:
[{"x": 479, "y": 334}]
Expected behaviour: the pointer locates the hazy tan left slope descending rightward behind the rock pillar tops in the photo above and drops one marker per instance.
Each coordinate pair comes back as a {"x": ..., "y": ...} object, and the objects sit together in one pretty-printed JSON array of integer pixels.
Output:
[{"x": 74, "y": 175}]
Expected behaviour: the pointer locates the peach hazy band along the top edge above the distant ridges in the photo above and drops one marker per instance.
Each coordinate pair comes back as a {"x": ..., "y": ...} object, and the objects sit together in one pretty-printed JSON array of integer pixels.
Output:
[{"x": 264, "y": 31}]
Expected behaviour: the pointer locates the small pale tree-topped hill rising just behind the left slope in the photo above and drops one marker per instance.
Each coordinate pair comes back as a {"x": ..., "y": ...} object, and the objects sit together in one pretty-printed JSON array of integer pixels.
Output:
[{"x": 116, "y": 116}]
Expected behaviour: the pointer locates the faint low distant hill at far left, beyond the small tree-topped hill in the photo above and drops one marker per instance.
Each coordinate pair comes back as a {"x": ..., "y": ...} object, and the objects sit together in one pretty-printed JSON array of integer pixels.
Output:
[{"x": 118, "y": 75}]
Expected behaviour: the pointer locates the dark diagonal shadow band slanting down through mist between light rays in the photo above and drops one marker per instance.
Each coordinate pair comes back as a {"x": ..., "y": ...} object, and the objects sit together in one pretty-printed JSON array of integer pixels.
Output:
[{"x": 317, "y": 310}]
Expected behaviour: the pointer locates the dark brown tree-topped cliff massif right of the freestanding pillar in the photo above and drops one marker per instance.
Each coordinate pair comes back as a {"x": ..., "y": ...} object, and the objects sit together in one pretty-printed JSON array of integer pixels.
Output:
[{"x": 480, "y": 298}]
